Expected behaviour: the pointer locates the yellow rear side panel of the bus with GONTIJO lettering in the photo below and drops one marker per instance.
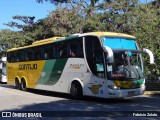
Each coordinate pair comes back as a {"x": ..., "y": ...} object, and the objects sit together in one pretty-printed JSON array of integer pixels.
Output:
[{"x": 30, "y": 71}]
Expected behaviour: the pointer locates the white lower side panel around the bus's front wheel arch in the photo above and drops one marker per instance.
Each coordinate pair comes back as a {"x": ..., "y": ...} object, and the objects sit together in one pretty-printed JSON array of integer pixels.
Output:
[{"x": 76, "y": 69}]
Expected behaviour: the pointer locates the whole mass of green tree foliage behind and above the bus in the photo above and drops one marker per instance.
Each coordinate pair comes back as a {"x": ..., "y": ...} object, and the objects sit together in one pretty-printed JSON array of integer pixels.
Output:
[{"x": 79, "y": 16}]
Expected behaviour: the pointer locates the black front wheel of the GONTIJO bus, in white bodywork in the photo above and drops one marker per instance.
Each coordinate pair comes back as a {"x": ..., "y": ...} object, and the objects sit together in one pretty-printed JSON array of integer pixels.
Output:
[{"x": 76, "y": 90}]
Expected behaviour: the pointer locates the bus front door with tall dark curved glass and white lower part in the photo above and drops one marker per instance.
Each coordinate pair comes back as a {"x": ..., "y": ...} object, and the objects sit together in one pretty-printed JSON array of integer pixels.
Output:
[{"x": 95, "y": 63}]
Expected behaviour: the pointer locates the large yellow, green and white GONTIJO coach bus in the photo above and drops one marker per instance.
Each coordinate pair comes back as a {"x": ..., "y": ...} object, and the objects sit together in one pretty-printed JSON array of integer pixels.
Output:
[{"x": 98, "y": 64}]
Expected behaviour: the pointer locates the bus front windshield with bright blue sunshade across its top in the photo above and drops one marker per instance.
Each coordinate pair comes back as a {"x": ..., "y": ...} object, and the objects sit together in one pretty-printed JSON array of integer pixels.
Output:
[{"x": 127, "y": 59}]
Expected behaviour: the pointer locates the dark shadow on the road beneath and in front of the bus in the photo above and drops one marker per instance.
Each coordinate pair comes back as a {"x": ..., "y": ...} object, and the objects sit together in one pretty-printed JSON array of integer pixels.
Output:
[{"x": 89, "y": 107}]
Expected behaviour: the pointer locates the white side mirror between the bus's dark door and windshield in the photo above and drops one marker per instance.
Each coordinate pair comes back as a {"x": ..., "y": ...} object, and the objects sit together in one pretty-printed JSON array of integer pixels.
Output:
[{"x": 110, "y": 54}]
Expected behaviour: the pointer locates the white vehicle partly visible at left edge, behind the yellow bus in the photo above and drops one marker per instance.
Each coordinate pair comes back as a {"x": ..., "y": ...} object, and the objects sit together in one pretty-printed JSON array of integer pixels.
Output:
[{"x": 3, "y": 77}]
